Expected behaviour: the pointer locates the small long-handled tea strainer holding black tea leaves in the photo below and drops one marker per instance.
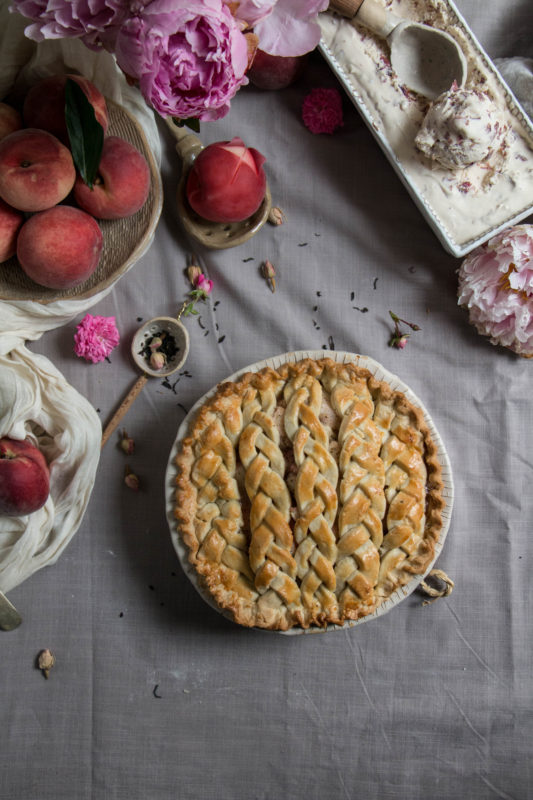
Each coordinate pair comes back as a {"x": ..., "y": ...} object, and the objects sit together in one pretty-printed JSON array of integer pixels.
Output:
[{"x": 169, "y": 326}]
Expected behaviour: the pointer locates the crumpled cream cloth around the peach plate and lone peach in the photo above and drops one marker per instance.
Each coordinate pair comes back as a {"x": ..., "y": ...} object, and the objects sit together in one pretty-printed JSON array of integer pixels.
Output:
[{"x": 35, "y": 399}]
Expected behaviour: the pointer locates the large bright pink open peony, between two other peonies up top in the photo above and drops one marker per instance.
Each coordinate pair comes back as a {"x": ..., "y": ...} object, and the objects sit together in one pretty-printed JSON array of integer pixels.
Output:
[{"x": 189, "y": 59}]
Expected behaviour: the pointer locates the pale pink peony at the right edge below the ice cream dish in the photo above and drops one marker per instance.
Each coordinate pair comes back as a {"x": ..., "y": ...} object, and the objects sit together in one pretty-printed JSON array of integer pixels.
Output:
[{"x": 496, "y": 287}]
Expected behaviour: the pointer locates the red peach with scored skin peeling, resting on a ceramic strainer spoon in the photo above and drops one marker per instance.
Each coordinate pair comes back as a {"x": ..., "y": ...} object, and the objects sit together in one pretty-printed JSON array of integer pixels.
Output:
[{"x": 226, "y": 182}]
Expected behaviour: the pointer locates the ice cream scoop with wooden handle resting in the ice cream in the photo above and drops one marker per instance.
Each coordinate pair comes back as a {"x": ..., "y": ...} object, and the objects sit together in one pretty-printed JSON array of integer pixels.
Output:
[{"x": 426, "y": 60}]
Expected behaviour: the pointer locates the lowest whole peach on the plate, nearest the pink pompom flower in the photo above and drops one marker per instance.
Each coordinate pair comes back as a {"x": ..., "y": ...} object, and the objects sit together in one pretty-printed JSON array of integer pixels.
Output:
[{"x": 59, "y": 248}]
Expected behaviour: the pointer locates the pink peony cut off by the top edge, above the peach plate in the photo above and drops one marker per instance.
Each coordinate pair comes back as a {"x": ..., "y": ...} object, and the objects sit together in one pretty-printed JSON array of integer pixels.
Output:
[{"x": 88, "y": 20}]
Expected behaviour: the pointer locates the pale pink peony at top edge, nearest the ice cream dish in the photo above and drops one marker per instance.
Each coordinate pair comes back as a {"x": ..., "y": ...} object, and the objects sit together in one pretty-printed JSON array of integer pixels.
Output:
[{"x": 284, "y": 27}]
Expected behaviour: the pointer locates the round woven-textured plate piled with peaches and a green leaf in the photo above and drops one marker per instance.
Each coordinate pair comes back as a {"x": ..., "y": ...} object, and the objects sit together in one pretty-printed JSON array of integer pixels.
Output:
[{"x": 80, "y": 193}]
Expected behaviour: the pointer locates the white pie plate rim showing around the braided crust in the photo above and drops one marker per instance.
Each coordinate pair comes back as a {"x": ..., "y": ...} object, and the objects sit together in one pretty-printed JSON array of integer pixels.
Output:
[{"x": 380, "y": 373}]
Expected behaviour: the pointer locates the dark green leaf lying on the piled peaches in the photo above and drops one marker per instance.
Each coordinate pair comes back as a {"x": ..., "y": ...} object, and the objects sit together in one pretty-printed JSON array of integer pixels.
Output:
[{"x": 85, "y": 133}]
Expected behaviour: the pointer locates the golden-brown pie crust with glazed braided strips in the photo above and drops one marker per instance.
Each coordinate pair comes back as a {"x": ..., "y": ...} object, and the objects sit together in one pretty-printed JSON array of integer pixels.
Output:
[{"x": 307, "y": 494}]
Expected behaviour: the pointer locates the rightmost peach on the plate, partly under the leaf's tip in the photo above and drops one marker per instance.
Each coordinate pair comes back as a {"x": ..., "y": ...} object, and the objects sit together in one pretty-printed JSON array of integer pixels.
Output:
[{"x": 122, "y": 184}]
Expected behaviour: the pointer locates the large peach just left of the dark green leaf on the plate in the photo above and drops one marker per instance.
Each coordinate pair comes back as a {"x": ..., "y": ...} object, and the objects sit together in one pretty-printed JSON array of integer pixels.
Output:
[{"x": 36, "y": 170}]
